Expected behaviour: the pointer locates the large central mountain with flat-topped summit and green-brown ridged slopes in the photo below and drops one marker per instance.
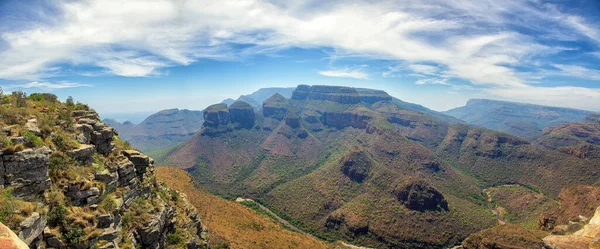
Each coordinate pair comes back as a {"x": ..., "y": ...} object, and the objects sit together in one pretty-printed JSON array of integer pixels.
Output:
[{"x": 347, "y": 163}]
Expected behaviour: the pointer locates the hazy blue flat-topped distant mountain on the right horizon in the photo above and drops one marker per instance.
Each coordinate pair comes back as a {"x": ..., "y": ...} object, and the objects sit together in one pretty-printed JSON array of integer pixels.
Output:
[{"x": 519, "y": 119}]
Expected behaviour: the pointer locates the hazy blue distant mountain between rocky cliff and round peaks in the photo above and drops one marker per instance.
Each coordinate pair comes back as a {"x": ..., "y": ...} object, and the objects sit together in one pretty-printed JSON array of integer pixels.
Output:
[{"x": 160, "y": 130}]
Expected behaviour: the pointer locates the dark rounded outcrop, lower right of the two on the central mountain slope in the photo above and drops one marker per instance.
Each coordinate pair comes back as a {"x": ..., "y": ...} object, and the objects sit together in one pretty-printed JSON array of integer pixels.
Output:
[{"x": 420, "y": 196}]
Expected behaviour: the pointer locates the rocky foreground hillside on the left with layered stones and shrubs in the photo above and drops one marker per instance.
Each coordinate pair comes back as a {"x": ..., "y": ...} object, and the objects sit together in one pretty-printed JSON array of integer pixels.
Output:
[{"x": 68, "y": 181}]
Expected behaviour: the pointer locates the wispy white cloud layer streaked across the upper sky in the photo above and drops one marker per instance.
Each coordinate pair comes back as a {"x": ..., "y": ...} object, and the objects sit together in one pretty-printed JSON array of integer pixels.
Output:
[{"x": 485, "y": 43}]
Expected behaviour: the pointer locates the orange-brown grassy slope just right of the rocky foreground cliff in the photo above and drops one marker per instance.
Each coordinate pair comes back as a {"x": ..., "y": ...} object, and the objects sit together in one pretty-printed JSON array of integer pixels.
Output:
[{"x": 231, "y": 223}]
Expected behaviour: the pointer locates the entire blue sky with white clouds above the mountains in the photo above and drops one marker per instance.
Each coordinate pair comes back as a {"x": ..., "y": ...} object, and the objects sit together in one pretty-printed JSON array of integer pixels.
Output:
[{"x": 138, "y": 57}]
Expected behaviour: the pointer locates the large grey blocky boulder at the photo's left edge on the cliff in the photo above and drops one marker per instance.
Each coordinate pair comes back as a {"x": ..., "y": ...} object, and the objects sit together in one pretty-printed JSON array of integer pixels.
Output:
[{"x": 27, "y": 171}]
